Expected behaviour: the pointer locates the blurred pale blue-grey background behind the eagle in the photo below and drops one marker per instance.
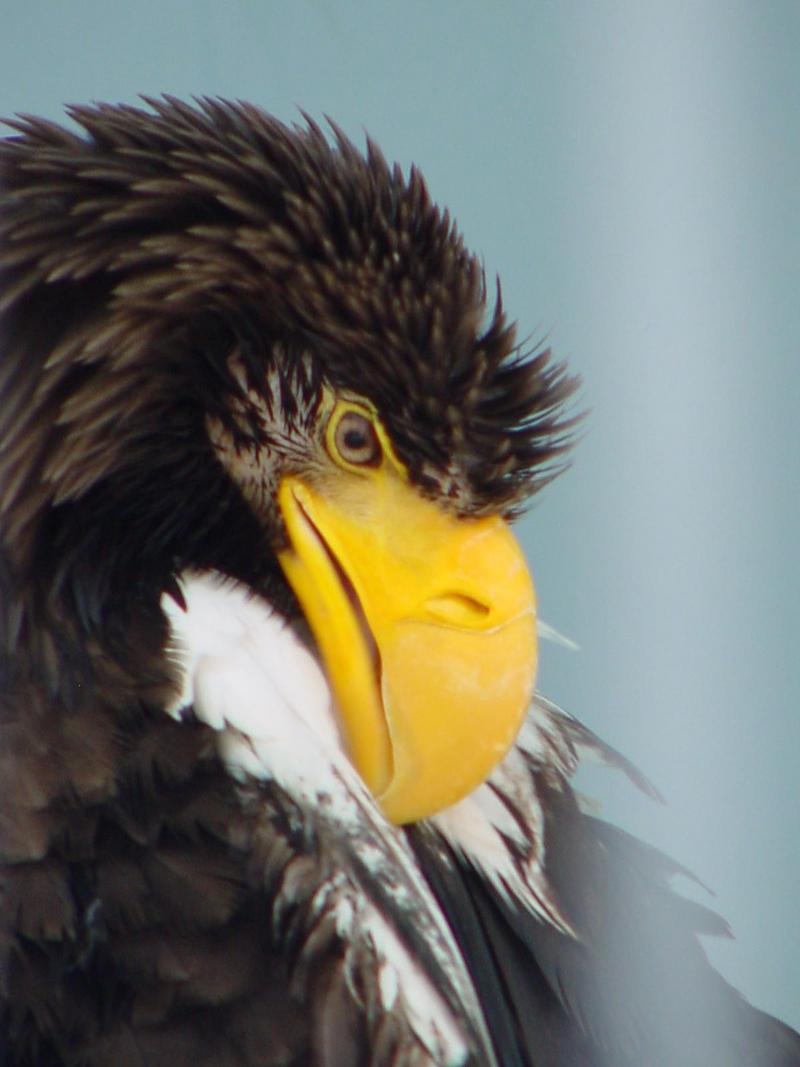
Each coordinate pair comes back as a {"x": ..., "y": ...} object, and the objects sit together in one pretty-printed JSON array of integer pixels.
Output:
[{"x": 631, "y": 169}]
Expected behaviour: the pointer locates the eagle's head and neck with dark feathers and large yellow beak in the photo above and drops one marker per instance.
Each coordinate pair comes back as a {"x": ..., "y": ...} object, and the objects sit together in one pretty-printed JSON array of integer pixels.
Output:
[{"x": 234, "y": 345}]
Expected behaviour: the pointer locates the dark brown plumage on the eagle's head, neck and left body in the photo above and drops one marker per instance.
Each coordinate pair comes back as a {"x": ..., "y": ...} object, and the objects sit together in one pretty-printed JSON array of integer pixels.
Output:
[{"x": 152, "y": 911}]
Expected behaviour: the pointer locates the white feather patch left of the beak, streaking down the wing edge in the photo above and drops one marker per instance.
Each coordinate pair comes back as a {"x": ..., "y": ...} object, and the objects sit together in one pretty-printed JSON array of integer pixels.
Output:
[{"x": 248, "y": 676}]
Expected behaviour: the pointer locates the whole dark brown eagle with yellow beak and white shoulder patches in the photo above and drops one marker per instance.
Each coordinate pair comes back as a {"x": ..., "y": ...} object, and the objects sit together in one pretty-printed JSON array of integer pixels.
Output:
[{"x": 276, "y": 785}]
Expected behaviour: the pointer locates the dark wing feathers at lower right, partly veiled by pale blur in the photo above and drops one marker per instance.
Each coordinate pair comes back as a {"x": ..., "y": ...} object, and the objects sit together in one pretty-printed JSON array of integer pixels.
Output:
[{"x": 632, "y": 988}]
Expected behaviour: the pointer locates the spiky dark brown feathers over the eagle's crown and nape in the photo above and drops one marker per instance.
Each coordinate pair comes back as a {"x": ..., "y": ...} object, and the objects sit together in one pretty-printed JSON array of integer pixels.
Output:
[{"x": 127, "y": 249}]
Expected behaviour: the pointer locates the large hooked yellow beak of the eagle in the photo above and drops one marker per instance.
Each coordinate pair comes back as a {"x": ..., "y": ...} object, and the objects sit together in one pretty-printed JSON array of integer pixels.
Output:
[{"x": 427, "y": 629}]
